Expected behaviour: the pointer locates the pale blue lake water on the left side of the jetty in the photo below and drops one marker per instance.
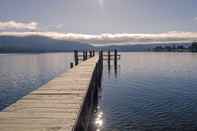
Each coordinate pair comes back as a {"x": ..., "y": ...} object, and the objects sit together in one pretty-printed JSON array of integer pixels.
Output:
[{"x": 23, "y": 73}]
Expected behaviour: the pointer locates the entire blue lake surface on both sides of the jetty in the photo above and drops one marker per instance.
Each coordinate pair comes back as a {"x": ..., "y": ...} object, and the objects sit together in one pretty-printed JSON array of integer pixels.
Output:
[{"x": 147, "y": 92}]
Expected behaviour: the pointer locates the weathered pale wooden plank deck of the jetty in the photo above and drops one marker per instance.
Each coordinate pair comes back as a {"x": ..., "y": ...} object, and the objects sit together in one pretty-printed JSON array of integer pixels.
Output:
[{"x": 55, "y": 106}]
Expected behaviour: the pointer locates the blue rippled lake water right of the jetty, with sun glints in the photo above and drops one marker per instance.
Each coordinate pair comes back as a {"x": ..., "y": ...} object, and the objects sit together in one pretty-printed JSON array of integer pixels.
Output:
[{"x": 150, "y": 92}]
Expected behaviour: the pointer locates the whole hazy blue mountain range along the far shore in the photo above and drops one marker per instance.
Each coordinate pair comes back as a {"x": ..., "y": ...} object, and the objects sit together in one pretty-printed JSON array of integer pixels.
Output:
[{"x": 33, "y": 44}]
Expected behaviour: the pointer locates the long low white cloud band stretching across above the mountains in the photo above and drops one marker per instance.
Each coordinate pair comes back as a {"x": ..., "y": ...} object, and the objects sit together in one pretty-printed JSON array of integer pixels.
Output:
[{"x": 172, "y": 36}]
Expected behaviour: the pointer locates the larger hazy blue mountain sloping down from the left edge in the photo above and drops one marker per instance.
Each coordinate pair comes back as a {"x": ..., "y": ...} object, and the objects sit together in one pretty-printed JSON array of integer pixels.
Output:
[{"x": 9, "y": 44}]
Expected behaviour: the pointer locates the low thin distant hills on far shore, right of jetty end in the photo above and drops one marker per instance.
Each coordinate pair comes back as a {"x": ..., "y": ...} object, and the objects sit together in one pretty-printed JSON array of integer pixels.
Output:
[{"x": 141, "y": 47}]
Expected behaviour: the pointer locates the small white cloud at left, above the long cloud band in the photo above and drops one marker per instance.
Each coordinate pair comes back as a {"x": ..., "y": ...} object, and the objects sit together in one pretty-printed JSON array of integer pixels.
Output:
[{"x": 18, "y": 25}]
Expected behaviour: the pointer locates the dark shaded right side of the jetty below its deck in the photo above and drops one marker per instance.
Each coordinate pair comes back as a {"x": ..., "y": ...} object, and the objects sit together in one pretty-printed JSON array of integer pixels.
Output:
[{"x": 91, "y": 100}]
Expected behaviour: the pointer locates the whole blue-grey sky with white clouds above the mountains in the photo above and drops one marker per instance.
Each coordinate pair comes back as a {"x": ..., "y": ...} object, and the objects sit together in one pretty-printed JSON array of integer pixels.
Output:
[{"x": 101, "y": 20}]
